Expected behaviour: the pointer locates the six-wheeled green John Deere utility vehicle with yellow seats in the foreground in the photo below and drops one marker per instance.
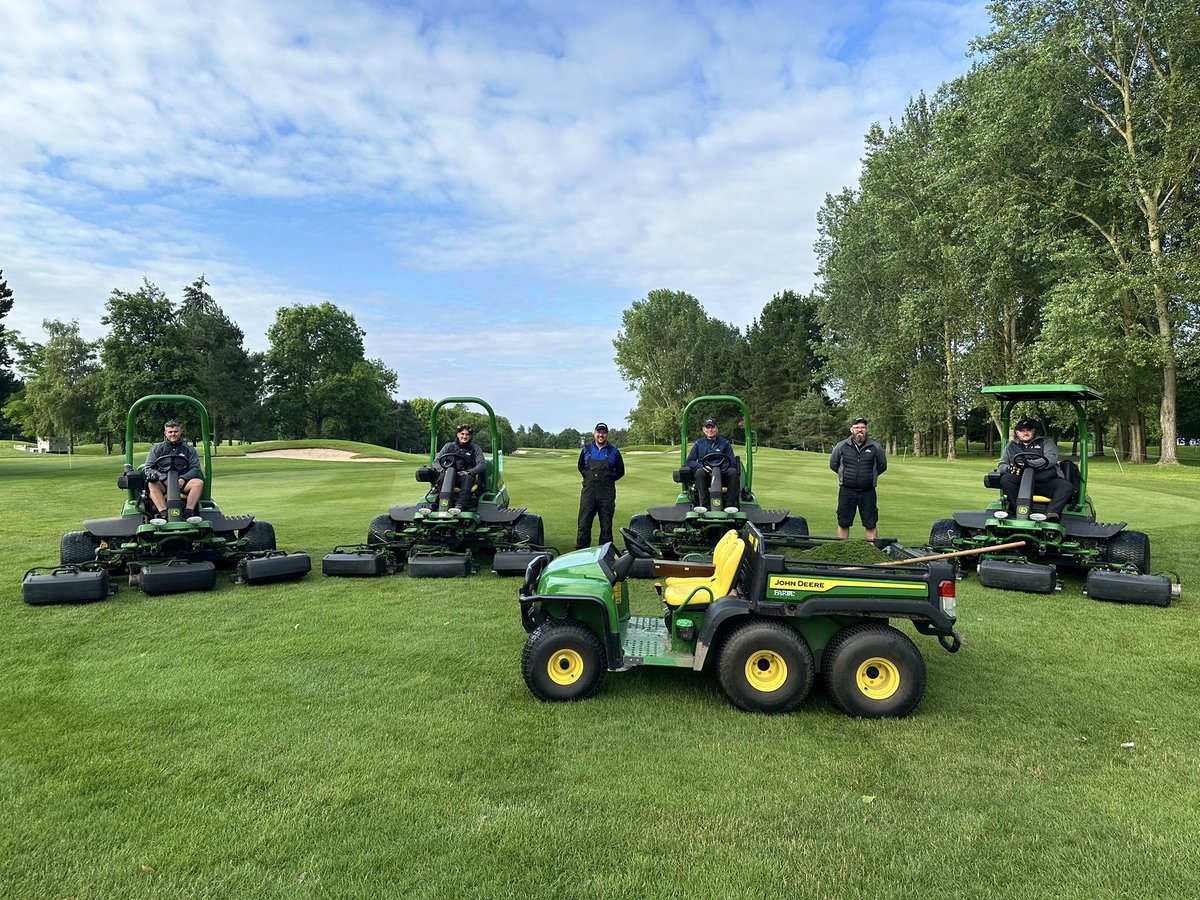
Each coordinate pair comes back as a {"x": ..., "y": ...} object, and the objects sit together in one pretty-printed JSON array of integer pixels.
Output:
[{"x": 767, "y": 626}]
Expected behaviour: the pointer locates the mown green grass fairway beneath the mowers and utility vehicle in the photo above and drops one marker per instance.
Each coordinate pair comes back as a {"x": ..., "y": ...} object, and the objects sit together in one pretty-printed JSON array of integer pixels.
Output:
[{"x": 374, "y": 739}]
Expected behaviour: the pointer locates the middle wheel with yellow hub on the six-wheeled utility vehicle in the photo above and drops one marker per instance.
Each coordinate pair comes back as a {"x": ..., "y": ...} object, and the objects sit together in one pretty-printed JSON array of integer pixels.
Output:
[{"x": 766, "y": 668}]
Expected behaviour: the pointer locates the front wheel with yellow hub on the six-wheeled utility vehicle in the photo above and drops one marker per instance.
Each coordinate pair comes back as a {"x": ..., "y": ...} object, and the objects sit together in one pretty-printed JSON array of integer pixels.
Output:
[{"x": 563, "y": 662}]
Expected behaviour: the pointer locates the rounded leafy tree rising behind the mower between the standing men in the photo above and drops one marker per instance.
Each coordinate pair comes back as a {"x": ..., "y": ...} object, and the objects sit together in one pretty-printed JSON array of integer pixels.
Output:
[{"x": 670, "y": 351}]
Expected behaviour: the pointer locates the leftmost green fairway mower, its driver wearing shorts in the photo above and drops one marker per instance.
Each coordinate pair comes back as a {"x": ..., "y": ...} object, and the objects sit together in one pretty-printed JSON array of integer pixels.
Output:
[{"x": 164, "y": 555}]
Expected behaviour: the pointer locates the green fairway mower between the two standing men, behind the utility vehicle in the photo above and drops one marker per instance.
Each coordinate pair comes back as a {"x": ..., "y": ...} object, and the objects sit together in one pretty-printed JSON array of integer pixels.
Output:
[{"x": 687, "y": 527}]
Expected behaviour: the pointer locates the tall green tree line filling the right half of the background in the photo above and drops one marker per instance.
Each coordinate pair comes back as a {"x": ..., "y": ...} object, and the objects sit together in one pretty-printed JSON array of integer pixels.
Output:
[{"x": 1035, "y": 221}]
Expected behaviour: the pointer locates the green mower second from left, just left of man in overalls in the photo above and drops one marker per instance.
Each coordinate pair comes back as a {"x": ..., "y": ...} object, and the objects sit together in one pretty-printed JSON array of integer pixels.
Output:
[{"x": 442, "y": 533}]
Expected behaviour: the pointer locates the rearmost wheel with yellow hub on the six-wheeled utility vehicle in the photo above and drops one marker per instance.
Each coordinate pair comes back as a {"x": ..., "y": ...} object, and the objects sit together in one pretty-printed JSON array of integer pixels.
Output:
[{"x": 873, "y": 671}]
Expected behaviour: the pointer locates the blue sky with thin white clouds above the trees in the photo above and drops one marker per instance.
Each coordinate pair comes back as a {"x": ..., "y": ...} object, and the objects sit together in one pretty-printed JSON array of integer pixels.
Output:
[{"x": 487, "y": 187}]
